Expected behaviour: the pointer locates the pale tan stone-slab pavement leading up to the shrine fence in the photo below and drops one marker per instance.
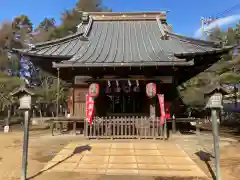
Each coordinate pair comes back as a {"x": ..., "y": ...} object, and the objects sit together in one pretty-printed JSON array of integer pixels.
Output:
[{"x": 158, "y": 158}]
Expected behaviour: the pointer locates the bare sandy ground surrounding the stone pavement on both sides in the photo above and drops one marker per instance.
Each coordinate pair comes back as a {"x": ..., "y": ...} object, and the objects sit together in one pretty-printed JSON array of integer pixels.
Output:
[{"x": 43, "y": 147}]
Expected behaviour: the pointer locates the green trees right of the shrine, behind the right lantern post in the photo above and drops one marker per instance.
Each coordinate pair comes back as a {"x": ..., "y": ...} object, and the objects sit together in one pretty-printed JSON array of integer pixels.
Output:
[{"x": 224, "y": 71}]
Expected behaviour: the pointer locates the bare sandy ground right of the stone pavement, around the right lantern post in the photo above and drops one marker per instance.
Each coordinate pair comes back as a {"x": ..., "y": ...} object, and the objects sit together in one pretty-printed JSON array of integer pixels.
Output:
[{"x": 200, "y": 149}]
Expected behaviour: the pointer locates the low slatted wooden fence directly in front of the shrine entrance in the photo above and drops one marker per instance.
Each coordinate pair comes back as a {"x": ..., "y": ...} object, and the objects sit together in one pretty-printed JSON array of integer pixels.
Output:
[{"x": 125, "y": 128}]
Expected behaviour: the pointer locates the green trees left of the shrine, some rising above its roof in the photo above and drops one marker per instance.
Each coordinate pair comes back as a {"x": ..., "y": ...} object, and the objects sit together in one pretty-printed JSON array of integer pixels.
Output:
[{"x": 46, "y": 30}]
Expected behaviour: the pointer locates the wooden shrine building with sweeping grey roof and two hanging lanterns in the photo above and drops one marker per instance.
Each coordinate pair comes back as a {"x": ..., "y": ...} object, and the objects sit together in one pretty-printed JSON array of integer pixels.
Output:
[{"x": 121, "y": 54}]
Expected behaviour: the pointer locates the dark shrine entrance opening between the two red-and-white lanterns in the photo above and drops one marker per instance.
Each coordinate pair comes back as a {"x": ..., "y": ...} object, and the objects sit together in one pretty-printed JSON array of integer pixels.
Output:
[{"x": 122, "y": 98}]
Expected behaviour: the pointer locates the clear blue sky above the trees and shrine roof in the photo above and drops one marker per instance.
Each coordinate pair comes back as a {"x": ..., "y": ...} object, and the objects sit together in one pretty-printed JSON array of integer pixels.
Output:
[{"x": 184, "y": 15}]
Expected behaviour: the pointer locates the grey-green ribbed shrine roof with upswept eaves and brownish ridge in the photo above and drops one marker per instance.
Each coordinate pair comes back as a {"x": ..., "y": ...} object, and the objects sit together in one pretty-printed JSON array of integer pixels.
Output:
[{"x": 124, "y": 40}]
